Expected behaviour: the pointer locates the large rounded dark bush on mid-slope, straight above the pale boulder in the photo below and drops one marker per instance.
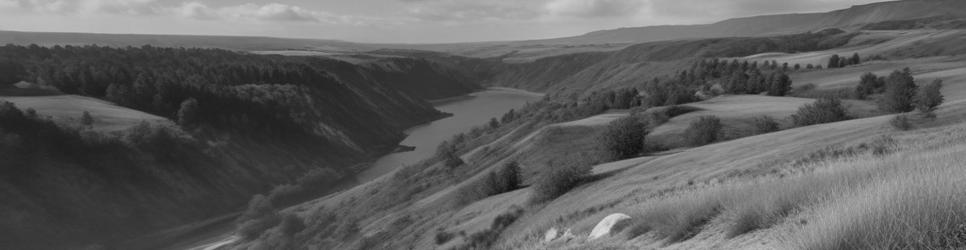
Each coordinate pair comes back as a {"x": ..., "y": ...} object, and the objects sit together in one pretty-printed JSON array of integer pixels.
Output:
[{"x": 624, "y": 138}]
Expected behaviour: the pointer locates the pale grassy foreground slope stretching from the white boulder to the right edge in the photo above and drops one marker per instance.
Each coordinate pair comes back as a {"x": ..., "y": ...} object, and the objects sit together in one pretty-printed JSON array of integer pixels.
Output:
[{"x": 913, "y": 199}]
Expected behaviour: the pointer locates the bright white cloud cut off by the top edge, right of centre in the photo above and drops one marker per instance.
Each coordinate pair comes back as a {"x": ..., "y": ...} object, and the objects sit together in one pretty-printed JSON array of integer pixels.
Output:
[{"x": 595, "y": 8}]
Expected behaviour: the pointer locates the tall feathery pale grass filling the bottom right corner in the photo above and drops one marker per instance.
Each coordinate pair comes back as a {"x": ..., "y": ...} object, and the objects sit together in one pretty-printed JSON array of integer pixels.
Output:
[{"x": 919, "y": 202}]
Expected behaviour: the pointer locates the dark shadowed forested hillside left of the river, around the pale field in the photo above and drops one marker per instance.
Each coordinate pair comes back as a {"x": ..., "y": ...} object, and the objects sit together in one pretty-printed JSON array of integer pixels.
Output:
[{"x": 245, "y": 123}]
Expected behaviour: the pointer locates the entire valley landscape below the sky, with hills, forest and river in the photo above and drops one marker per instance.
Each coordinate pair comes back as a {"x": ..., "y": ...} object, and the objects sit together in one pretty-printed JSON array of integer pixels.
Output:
[{"x": 831, "y": 130}]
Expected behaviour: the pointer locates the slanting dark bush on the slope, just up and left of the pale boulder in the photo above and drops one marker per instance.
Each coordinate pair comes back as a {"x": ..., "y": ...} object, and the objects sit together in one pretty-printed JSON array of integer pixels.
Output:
[{"x": 557, "y": 179}]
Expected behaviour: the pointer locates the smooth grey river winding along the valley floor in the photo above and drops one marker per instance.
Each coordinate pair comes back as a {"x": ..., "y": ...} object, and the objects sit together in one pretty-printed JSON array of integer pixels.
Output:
[{"x": 474, "y": 110}]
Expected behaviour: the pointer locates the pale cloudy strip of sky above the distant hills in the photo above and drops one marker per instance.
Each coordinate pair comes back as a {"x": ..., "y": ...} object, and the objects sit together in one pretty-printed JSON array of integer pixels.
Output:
[{"x": 383, "y": 21}]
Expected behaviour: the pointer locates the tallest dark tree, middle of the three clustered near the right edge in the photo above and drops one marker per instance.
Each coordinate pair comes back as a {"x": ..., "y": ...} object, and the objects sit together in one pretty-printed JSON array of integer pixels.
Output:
[{"x": 900, "y": 89}]
